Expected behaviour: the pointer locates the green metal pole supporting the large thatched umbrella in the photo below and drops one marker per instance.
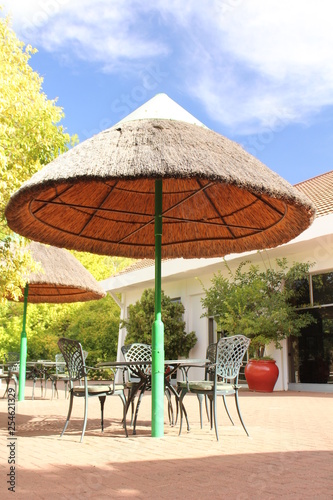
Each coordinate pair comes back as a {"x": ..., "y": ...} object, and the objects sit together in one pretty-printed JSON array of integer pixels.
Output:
[{"x": 157, "y": 379}]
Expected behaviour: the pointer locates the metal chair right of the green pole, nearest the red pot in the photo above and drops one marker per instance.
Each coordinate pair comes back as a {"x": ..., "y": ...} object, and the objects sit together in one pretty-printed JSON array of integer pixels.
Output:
[{"x": 223, "y": 373}]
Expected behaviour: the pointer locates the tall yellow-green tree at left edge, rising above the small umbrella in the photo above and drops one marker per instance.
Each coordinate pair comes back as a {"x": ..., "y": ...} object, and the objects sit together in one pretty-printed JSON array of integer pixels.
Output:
[{"x": 30, "y": 137}]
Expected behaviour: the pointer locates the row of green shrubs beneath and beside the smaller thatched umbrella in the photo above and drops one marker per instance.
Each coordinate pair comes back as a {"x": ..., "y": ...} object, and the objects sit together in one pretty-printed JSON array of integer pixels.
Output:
[{"x": 95, "y": 324}]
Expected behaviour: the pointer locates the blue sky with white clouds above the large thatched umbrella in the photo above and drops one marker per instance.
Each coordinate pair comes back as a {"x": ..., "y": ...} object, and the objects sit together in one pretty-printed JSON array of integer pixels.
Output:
[{"x": 259, "y": 72}]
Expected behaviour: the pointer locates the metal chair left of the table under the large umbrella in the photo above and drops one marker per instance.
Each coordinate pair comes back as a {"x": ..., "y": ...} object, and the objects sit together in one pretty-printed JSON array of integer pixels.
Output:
[{"x": 77, "y": 370}]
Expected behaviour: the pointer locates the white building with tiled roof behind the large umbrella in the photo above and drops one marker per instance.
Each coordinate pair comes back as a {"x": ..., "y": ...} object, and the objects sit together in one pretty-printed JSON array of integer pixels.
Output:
[{"x": 305, "y": 363}]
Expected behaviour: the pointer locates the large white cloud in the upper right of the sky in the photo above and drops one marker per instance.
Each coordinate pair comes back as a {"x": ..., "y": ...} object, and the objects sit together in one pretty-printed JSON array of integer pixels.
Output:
[{"x": 264, "y": 63}]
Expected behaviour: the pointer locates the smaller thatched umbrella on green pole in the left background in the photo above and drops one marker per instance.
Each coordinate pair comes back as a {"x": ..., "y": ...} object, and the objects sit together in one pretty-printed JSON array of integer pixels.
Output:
[{"x": 60, "y": 278}]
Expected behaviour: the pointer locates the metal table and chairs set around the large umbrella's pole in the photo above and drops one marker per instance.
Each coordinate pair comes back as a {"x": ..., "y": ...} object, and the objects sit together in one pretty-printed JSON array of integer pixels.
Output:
[{"x": 222, "y": 366}]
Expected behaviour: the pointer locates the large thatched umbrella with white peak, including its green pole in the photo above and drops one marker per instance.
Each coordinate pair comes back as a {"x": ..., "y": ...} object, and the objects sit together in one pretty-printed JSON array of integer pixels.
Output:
[{"x": 104, "y": 196}]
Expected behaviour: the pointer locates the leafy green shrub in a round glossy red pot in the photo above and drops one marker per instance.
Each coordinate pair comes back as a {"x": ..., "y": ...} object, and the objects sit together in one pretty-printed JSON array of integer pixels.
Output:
[{"x": 260, "y": 304}]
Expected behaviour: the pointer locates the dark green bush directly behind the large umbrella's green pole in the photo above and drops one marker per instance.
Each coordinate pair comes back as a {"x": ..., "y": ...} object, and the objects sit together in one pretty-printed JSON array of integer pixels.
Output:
[{"x": 141, "y": 317}]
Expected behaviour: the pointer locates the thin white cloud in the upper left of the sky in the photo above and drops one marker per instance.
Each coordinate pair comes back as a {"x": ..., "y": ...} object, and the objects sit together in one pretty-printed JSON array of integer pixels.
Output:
[{"x": 98, "y": 31}]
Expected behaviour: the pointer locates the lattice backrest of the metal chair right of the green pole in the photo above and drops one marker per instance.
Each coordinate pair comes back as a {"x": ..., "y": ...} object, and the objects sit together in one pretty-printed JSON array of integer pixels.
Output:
[{"x": 230, "y": 352}]
